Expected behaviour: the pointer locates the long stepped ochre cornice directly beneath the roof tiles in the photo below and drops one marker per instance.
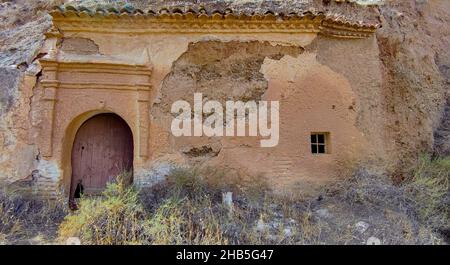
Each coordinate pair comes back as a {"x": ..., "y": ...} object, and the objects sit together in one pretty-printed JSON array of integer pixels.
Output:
[{"x": 71, "y": 19}]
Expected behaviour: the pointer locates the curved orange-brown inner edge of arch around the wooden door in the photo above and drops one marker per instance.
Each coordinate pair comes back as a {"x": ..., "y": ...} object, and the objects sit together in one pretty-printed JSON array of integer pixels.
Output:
[{"x": 69, "y": 139}]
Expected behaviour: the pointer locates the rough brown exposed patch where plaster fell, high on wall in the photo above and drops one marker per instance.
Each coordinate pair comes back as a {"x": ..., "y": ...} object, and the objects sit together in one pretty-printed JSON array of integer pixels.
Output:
[{"x": 222, "y": 71}]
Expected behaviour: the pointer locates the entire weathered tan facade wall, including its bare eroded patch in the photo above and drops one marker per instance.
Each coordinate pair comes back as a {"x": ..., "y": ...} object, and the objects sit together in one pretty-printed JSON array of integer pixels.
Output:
[{"x": 323, "y": 85}]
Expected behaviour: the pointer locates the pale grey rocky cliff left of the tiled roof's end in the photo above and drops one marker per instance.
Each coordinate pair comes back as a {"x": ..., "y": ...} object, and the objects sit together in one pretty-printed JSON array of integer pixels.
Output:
[{"x": 22, "y": 25}]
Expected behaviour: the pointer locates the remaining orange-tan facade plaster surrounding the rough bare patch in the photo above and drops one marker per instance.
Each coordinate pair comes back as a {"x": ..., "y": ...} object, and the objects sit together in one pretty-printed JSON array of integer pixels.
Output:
[{"x": 316, "y": 95}]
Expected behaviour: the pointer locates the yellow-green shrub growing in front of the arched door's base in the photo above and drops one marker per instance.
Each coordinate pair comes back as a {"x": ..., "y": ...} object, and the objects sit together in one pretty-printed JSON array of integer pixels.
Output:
[{"x": 115, "y": 218}]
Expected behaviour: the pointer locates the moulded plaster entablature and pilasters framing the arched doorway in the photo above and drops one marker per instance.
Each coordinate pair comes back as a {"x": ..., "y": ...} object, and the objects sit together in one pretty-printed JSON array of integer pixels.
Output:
[{"x": 99, "y": 75}]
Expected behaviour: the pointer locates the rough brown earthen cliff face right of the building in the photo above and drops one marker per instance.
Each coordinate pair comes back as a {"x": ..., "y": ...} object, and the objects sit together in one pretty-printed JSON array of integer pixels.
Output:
[{"x": 414, "y": 45}]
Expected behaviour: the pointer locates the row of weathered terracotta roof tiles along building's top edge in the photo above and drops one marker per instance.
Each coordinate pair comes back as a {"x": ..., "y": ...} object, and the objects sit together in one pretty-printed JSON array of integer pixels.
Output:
[{"x": 338, "y": 12}]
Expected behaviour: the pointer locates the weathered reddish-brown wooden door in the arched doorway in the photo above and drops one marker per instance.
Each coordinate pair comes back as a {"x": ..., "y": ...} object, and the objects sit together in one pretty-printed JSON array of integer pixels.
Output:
[{"x": 103, "y": 149}]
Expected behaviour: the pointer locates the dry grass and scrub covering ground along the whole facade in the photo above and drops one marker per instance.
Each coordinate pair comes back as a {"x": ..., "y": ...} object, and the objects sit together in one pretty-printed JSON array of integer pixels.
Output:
[{"x": 188, "y": 209}]
